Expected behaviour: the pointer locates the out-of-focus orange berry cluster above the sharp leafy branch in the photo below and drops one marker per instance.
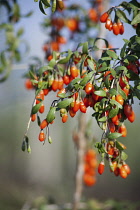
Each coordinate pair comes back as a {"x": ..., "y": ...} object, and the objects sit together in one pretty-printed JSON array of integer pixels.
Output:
[{"x": 70, "y": 21}]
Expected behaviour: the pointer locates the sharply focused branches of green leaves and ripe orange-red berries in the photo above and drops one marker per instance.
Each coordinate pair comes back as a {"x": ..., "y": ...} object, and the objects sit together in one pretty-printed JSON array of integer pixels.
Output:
[{"x": 108, "y": 85}]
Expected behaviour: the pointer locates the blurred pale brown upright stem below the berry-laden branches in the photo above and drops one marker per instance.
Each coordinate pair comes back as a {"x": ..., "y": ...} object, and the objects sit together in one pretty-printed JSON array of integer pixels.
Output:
[{"x": 80, "y": 141}]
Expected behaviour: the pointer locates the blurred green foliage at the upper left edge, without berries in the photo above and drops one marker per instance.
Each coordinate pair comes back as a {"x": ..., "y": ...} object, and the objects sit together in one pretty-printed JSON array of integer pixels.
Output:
[{"x": 13, "y": 40}]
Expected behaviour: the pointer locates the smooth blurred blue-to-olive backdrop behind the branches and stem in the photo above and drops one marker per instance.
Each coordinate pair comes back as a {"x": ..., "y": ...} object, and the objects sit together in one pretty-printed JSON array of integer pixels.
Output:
[{"x": 49, "y": 170}]
